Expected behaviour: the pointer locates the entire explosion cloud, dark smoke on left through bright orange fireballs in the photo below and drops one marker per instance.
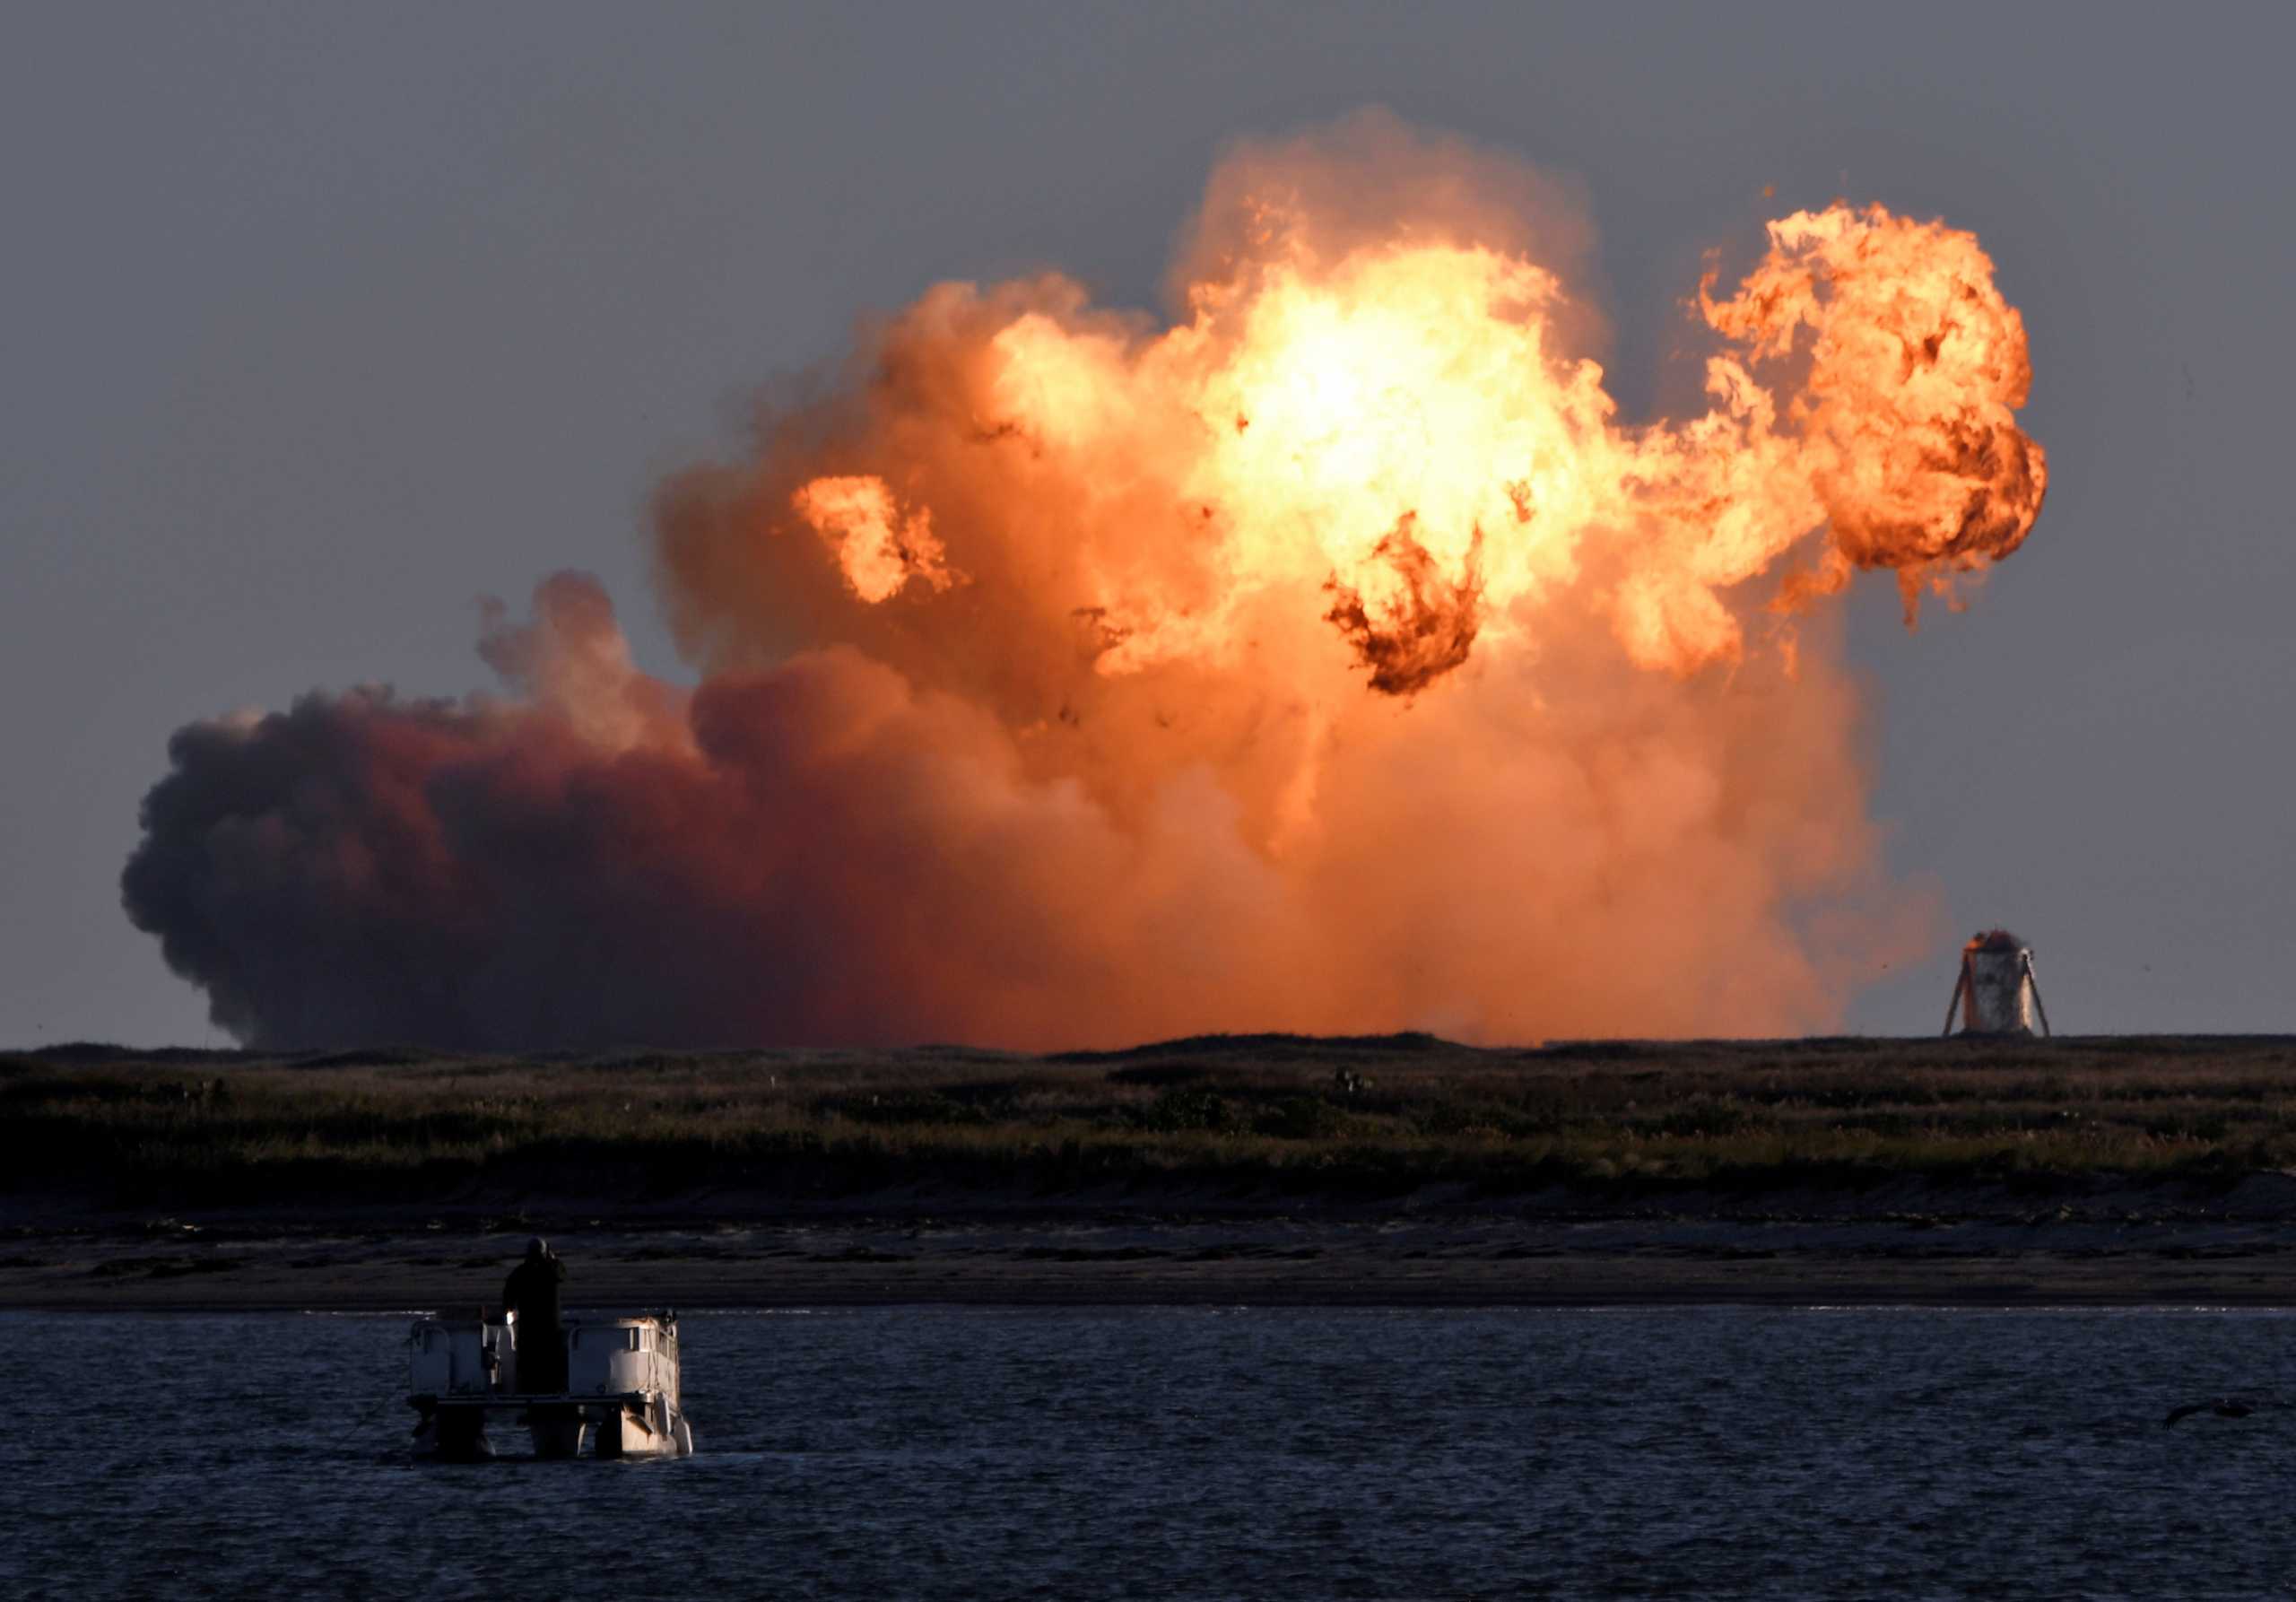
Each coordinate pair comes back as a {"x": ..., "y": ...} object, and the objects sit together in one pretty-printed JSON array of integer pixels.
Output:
[{"x": 1326, "y": 658}]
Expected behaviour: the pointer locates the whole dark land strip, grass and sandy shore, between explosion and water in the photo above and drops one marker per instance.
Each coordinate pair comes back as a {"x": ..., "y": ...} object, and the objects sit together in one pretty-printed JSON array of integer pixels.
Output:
[{"x": 1397, "y": 1172}]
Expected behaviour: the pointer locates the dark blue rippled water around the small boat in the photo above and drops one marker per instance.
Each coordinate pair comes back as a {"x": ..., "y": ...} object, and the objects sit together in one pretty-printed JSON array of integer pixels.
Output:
[{"x": 926, "y": 1452}]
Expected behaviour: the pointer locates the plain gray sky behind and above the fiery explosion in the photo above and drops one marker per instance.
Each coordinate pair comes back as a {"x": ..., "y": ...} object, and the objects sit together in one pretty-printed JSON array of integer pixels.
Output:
[{"x": 323, "y": 322}]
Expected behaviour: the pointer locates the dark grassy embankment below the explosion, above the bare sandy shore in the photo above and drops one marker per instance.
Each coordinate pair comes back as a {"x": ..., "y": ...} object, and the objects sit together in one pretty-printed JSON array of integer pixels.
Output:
[{"x": 1243, "y": 1117}]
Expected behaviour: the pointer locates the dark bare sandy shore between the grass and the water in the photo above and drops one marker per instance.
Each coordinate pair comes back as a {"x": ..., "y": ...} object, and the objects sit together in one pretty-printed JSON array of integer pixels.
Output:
[{"x": 2056, "y": 1259}]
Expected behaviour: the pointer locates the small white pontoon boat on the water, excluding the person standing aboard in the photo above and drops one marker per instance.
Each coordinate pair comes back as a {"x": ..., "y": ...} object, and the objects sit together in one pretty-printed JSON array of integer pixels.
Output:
[{"x": 619, "y": 1401}]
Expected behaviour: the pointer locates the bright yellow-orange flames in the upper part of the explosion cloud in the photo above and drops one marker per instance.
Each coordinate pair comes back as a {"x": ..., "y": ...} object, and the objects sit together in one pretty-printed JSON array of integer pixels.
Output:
[{"x": 1399, "y": 426}]
